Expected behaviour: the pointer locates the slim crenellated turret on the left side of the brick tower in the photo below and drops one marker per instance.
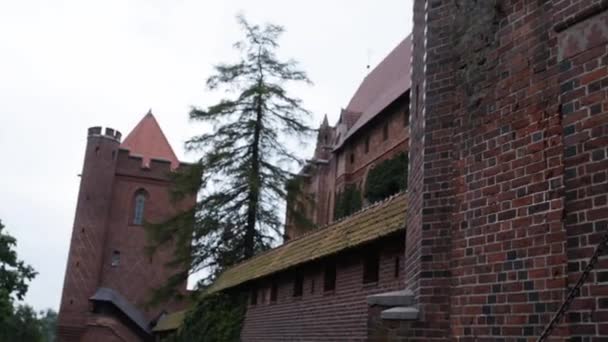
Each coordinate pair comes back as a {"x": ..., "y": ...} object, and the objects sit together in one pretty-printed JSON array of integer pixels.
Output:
[{"x": 83, "y": 269}]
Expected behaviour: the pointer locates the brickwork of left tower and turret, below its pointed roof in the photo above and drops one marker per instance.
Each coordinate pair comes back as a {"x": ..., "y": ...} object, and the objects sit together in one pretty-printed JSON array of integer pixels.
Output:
[{"x": 102, "y": 226}]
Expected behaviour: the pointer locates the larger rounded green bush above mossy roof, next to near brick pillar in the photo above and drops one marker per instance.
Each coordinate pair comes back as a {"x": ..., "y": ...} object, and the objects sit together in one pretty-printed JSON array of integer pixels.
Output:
[{"x": 387, "y": 178}]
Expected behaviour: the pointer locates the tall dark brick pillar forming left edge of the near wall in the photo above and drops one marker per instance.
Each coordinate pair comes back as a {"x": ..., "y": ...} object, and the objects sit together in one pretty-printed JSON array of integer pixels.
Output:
[{"x": 431, "y": 186}]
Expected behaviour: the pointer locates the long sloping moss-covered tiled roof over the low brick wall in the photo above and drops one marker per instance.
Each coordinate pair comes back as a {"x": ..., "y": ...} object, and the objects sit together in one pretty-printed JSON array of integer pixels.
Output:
[{"x": 373, "y": 222}]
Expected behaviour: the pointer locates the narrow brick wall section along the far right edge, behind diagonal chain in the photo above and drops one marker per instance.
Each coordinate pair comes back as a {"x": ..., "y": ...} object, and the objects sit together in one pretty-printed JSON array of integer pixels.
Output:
[{"x": 583, "y": 82}]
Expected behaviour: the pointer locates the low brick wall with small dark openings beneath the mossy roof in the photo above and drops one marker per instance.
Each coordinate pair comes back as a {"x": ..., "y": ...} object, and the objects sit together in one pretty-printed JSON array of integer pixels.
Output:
[{"x": 319, "y": 316}]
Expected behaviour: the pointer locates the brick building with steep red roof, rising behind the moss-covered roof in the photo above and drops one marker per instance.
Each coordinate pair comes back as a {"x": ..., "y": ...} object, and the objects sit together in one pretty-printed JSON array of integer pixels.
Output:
[{"x": 372, "y": 128}]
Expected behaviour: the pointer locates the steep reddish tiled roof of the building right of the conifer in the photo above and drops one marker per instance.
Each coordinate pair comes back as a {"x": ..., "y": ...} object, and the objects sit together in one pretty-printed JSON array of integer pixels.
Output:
[{"x": 383, "y": 85}]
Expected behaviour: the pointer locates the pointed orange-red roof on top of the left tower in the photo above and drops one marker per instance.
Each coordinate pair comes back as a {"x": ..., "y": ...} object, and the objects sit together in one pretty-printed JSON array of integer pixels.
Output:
[{"x": 148, "y": 141}]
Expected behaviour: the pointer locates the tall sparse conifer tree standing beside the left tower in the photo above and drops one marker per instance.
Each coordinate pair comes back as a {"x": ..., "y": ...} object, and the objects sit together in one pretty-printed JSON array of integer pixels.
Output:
[{"x": 242, "y": 175}]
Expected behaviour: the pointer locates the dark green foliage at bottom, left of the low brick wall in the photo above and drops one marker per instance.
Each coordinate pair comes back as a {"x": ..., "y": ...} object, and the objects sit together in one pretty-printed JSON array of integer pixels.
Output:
[{"x": 215, "y": 318}]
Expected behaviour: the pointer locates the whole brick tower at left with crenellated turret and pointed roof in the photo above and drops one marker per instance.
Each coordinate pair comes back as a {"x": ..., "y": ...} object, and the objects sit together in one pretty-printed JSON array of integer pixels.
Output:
[{"x": 109, "y": 276}]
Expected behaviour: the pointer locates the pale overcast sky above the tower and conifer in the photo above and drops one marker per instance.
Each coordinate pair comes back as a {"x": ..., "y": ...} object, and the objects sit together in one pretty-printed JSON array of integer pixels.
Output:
[{"x": 68, "y": 65}]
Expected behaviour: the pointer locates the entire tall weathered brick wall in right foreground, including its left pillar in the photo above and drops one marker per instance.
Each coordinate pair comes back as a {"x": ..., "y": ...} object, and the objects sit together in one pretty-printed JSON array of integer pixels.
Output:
[{"x": 507, "y": 189}]
